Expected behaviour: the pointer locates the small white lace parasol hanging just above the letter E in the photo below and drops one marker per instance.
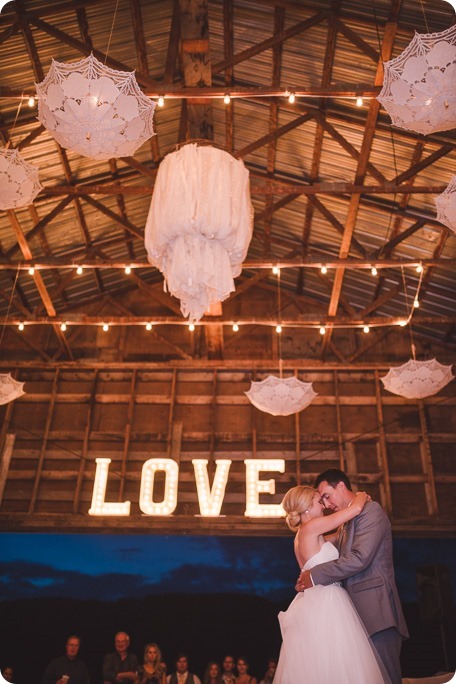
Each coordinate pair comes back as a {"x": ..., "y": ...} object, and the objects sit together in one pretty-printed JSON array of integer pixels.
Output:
[{"x": 281, "y": 396}]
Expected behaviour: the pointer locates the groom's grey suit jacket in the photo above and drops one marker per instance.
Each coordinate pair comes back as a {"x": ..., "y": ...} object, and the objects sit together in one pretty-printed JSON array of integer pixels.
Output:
[{"x": 365, "y": 567}]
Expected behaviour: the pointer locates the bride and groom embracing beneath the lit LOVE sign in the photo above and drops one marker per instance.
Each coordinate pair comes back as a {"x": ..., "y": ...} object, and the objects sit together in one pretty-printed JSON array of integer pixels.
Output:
[{"x": 335, "y": 635}]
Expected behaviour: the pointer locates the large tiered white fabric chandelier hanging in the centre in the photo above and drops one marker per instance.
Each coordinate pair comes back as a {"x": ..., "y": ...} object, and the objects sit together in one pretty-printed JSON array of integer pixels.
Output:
[{"x": 199, "y": 225}]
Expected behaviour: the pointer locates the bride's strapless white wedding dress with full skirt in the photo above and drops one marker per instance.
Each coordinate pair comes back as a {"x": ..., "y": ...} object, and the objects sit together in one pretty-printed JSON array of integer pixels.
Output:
[{"x": 324, "y": 640}]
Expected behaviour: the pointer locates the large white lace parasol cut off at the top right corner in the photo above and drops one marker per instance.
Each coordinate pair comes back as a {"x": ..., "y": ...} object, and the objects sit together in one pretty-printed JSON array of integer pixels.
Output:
[{"x": 419, "y": 91}]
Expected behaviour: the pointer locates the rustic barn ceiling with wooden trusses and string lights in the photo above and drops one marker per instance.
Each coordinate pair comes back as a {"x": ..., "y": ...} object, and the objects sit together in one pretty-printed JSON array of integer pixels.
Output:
[{"x": 344, "y": 202}]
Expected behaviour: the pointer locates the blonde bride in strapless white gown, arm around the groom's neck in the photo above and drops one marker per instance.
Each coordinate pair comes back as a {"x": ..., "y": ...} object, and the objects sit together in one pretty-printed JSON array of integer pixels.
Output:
[{"x": 324, "y": 640}]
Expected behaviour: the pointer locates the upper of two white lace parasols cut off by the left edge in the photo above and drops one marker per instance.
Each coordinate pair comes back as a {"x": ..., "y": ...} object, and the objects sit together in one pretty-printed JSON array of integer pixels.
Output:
[{"x": 19, "y": 184}]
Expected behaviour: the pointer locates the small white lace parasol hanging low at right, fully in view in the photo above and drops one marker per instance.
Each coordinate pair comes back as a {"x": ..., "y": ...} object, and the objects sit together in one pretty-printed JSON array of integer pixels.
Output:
[{"x": 417, "y": 379}]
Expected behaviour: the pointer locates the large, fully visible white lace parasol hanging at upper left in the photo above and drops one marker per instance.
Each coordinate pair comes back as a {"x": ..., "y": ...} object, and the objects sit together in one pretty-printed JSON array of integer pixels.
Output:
[{"x": 94, "y": 110}]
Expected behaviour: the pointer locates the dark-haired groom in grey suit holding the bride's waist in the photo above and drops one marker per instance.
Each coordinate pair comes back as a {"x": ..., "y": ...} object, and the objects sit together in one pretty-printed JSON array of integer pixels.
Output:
[{"x": 366, "y": 567}]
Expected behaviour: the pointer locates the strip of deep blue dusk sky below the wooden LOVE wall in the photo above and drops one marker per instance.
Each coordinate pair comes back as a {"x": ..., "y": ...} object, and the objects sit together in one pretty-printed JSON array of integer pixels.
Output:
[{"x": 108, "y": 567}]
